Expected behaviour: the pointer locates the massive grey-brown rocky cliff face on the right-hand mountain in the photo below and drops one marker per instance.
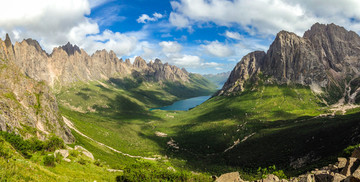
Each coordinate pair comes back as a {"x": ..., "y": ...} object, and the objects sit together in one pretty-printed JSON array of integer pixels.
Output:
[{"x": 326, "y": 58}]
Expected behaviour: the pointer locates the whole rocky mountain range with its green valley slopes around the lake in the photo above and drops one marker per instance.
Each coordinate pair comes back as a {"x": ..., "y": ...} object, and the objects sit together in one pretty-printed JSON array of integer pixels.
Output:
[{"x": 294, "y": 106}]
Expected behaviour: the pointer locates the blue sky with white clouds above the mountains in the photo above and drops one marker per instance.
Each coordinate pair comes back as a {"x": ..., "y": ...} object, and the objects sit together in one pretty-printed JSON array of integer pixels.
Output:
[{"x": 203, "y": 36}]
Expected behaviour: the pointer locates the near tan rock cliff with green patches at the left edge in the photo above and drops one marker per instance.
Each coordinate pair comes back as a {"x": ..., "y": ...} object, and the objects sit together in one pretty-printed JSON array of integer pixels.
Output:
[{"x": 27, "y": 107}]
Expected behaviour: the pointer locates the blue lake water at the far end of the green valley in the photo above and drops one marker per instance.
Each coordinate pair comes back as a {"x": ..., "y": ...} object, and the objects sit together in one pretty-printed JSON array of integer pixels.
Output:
[{"x": 184, "y": 105}]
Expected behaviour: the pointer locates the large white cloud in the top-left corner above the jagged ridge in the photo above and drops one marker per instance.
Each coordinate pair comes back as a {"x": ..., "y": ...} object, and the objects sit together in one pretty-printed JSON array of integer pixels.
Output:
[{"x": 56, "y": 22}]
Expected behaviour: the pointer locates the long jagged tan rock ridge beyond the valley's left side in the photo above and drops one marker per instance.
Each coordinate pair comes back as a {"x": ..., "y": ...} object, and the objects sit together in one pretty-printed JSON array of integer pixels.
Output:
[{"x": 69, "y": 64}]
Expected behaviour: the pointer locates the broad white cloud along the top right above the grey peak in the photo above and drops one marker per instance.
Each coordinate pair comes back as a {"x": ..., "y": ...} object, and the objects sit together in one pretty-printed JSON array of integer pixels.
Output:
[{"x": 266, "y": 17}]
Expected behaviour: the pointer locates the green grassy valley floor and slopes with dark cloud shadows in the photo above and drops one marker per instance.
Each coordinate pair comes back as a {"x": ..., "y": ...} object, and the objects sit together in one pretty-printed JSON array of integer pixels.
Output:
[{"x": 280, "y": 119}]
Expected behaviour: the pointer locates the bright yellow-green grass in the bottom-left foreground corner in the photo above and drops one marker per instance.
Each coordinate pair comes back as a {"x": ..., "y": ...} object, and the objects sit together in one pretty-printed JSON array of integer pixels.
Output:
[{"x": 14, "y": 167}]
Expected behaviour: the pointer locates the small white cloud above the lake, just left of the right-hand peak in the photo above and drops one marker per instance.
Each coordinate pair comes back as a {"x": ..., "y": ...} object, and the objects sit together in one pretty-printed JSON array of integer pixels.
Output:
[{"x": 218, "y": 49}]
